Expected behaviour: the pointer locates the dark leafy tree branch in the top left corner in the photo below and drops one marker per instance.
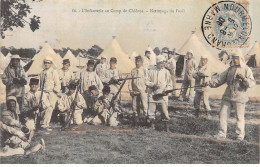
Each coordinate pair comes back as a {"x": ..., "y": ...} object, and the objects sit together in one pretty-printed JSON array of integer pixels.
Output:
[{"x": 13, "y": 14}]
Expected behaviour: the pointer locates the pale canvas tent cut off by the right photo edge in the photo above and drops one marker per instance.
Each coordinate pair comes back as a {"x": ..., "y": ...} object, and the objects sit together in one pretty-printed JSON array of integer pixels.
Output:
[{"x": 253, "y": 56}]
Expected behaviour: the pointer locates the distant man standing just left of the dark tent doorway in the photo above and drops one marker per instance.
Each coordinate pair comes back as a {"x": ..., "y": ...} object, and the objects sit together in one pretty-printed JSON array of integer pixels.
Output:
[{"x": 171, "y": 66}]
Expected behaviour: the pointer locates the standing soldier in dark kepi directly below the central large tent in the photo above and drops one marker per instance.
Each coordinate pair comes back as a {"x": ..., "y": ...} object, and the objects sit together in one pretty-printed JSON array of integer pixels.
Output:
[{"x": 112, "y": 75}]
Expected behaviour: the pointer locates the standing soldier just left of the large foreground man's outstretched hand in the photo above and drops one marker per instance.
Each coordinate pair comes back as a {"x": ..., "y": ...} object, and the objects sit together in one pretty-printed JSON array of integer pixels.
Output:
[{"x": 202, "y": 76}]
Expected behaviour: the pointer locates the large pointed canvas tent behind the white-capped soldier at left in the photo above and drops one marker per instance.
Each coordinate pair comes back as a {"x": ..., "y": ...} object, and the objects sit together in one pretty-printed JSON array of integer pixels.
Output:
[{"x": 46, "y": 51}]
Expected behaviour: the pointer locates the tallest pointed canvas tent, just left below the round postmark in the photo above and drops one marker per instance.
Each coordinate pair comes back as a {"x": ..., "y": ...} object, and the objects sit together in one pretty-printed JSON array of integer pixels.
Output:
[{"x": 193, "y": 43}]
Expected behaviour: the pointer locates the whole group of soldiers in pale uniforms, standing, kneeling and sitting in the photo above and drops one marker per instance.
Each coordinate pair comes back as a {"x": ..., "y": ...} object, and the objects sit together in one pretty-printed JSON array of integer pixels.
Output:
[{"x": 93, "y": 94}]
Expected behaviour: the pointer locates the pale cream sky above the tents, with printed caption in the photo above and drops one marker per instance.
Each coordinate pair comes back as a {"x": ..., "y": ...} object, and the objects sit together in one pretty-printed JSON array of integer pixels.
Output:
[{"x": 63, "y": 28}]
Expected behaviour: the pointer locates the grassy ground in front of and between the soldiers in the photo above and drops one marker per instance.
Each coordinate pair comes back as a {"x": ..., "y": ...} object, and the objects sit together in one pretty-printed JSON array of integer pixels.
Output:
[{"x": 108, "y": 145}]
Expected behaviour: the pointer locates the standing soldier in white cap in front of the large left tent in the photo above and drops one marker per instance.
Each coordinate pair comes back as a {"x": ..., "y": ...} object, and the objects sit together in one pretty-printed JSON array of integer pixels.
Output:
[{"x": 50, "y": 83}]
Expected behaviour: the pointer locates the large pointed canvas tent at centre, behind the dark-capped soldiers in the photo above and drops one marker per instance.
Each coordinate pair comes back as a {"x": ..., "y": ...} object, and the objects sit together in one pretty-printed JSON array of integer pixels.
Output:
[{"x": 113, "y": 49}]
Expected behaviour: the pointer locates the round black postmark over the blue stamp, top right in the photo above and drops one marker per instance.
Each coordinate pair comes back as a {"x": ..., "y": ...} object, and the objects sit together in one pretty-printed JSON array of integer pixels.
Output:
[{"x": 227, "y": 24}]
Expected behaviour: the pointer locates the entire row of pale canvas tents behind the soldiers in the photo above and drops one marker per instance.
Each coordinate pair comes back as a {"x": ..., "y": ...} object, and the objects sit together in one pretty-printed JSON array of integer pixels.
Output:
[{"x": 126, "y": 63}]
